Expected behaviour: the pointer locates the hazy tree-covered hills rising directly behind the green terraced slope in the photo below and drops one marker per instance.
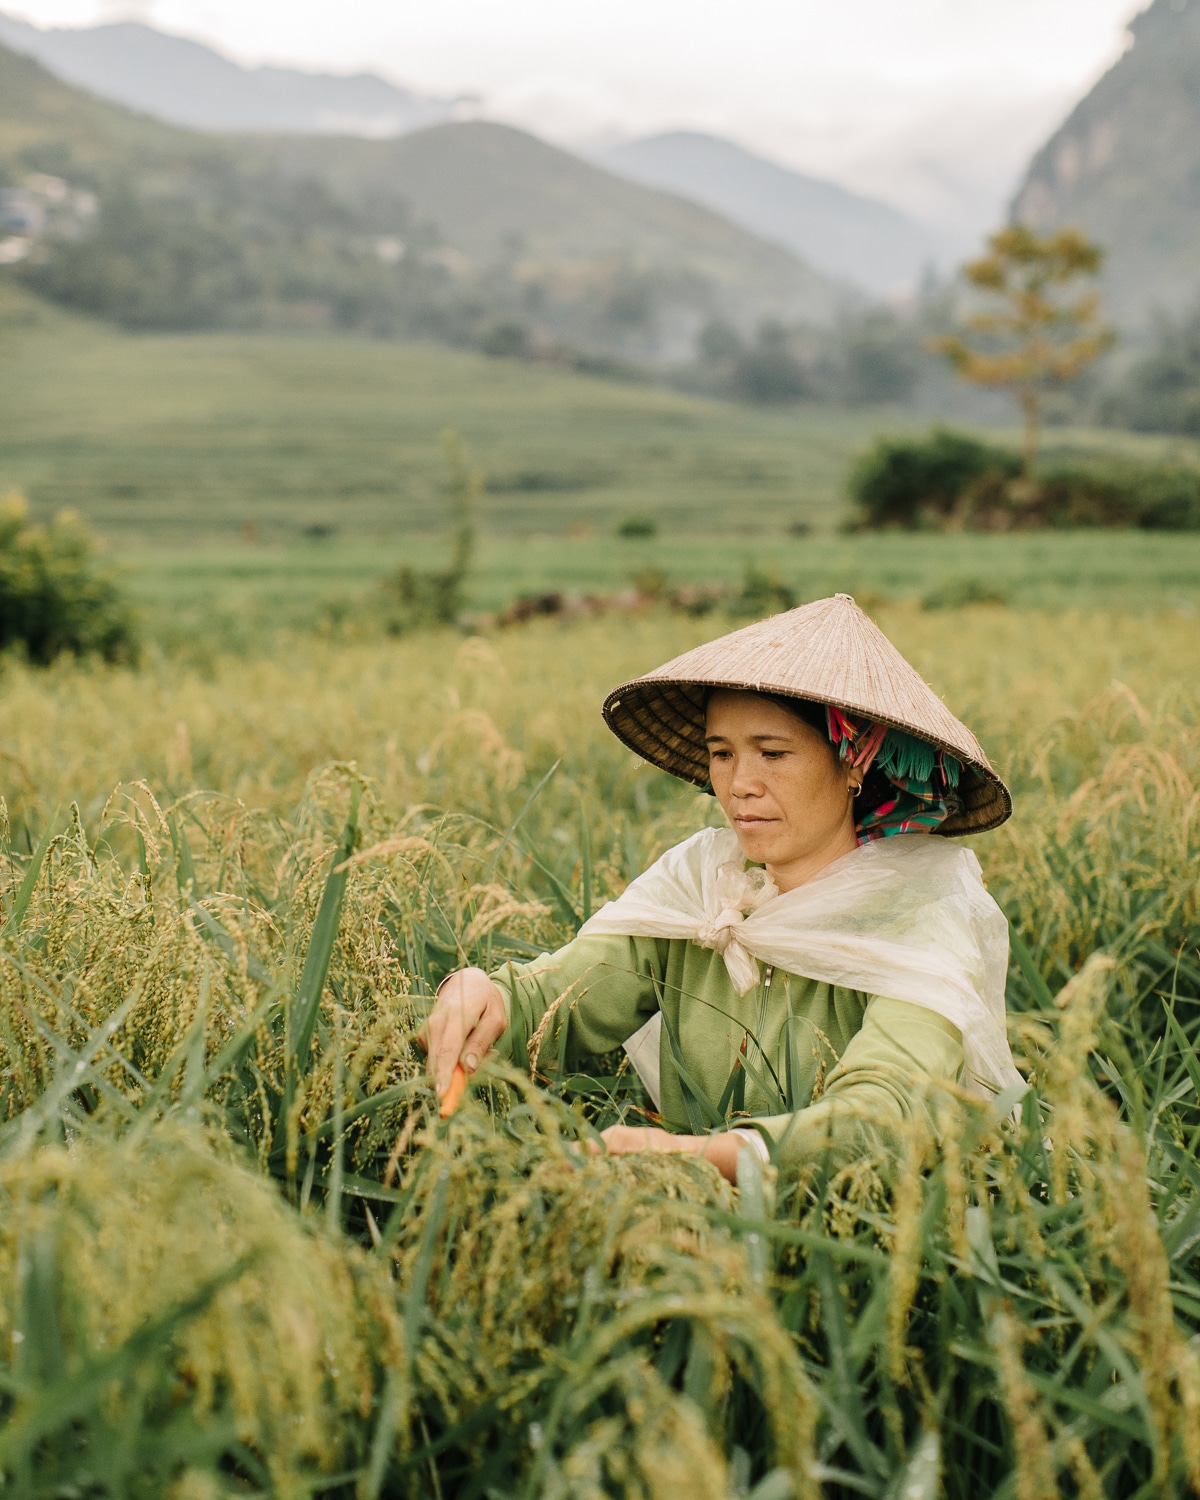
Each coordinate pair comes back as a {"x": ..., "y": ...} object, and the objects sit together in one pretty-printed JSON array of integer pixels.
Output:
[{"x": 440, "y": 233}]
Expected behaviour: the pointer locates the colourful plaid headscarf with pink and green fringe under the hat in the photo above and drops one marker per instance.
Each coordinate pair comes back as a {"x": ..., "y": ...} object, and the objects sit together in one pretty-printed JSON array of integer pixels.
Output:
[{"x": 922, "y": 778}]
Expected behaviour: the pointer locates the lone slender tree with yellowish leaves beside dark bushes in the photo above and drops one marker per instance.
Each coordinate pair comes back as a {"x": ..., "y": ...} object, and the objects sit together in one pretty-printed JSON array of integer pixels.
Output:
[{"x": 1037, "y": 337}]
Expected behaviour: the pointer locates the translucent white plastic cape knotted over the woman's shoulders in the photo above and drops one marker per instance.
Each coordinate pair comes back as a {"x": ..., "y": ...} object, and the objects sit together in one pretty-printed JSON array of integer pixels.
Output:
[{"x": 905, "y": 917}]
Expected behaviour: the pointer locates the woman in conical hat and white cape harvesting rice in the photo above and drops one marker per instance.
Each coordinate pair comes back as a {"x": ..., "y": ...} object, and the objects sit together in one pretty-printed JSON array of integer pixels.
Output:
[{"x": 832, "y": 923}]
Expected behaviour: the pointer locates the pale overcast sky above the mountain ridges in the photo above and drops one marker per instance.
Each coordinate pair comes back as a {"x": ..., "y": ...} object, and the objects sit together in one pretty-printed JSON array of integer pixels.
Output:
[{"x": 934, "y": 104}]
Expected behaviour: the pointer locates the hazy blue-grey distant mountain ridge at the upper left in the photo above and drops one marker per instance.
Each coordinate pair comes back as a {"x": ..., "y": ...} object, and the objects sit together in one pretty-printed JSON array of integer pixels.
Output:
[{"x": 187, "y": 83}]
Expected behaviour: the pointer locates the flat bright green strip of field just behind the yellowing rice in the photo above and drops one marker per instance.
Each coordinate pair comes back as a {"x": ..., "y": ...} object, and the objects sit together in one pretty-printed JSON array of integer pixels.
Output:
[{"x": 239, "y": 593}]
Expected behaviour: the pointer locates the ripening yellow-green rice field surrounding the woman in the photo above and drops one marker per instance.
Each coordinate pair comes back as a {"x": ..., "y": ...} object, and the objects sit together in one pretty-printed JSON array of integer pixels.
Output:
[{"x": 244, "y": 1256}]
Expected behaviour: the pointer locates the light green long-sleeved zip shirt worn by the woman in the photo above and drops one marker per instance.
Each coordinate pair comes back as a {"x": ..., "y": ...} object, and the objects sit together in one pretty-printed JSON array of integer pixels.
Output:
[{"x": 878, "y": 1049}]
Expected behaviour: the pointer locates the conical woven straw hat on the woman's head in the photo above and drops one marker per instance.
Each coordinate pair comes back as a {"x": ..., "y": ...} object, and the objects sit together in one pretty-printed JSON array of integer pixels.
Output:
[{"x": 829, "y": 653}]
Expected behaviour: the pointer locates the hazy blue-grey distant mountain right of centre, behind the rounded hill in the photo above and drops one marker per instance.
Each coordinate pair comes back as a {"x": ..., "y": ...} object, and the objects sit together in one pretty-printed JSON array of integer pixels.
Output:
[{"x": 842, "y": 233}]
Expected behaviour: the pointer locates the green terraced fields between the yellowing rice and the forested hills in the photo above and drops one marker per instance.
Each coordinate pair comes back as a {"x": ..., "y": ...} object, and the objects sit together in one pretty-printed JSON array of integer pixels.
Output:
[{"x": 205, "y": 460}]
